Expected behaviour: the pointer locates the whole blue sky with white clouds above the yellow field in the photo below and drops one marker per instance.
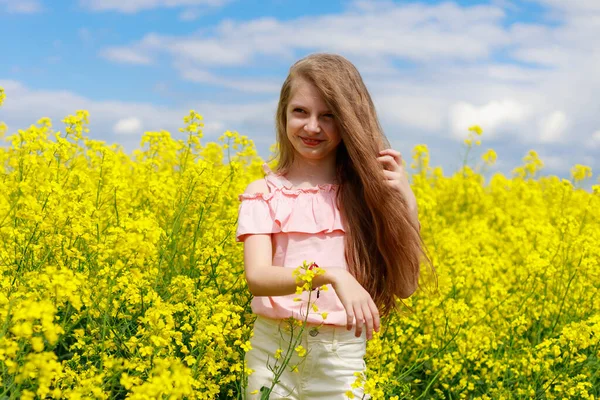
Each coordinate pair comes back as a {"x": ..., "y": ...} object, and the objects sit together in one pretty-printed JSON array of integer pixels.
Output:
[{"x": 523, "y": 70}]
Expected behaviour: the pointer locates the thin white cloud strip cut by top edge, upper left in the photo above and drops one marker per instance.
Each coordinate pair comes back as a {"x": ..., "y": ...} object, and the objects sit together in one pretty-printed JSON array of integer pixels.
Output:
[{"x": 134, "y": 6}]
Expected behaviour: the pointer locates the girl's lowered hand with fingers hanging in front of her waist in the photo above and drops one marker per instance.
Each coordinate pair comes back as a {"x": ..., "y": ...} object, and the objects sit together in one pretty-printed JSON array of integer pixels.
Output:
[{"x": 356, "y": 300}]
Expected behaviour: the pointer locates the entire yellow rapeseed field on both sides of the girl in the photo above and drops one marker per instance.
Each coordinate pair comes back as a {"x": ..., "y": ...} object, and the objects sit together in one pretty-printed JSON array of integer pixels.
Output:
[{"x": 121, "y": 278}]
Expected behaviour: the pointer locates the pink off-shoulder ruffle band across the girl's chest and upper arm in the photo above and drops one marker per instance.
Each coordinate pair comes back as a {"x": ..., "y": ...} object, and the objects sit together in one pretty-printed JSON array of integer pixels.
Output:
[{"x": 311, "y": 210}]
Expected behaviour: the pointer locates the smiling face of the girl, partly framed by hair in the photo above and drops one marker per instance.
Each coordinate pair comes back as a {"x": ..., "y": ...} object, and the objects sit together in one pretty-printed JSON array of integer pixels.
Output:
[{"x": 311, "y": 127}]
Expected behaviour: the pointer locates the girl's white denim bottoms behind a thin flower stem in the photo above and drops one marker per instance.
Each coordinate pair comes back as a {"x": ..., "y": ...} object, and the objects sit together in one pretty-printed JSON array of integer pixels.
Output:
[{"x": 334, "y": 354}]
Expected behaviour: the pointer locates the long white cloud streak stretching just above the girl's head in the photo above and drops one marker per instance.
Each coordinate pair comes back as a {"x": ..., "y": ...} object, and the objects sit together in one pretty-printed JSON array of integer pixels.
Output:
[{"x": 414, "y": 31}]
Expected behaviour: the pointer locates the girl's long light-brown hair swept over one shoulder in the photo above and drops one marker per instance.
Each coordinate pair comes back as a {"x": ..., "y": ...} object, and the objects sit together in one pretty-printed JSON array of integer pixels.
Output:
[{"x": 382, "y": 248}]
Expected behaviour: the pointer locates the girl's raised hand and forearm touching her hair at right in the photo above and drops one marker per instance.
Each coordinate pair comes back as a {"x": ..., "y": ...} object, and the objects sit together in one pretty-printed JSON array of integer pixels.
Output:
[{"x": 396, "y": 177}]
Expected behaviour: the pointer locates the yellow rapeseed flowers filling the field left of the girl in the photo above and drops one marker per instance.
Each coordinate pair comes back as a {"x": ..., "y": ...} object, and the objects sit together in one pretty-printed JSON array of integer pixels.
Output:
[{"x": 118, "y": 273}]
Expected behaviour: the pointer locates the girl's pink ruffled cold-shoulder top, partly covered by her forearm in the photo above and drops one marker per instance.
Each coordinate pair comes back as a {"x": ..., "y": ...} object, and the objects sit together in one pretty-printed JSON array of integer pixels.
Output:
[{"x": 305, "y": 225}]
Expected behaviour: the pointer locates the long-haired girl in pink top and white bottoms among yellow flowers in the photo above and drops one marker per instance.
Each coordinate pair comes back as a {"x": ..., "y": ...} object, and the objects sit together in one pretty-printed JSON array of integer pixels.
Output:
[{"x": 339, "y": 197}]
